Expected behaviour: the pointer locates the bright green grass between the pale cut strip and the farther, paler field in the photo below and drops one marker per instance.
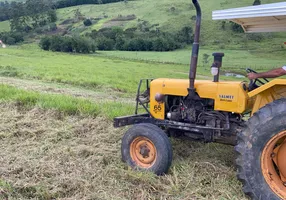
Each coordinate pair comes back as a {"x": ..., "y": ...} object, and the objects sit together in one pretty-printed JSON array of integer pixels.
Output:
[{"x": 82, "y": 70}]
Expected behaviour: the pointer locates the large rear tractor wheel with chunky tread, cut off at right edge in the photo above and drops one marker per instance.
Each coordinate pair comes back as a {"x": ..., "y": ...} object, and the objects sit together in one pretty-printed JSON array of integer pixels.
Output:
[{"x": 261, "y": 153}]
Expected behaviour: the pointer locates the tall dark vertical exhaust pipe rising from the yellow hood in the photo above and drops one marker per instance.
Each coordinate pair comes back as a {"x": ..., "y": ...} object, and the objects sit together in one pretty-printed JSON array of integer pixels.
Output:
[{"x": 195, "y": 51}]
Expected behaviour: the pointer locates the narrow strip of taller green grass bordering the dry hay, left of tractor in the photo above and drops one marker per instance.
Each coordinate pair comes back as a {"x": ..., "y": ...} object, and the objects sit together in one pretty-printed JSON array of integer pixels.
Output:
[{"x": 64, "y": 103}]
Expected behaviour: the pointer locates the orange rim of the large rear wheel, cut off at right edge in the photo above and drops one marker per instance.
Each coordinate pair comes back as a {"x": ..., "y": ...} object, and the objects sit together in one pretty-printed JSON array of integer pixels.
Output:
[{"x": 273, "y": 164}]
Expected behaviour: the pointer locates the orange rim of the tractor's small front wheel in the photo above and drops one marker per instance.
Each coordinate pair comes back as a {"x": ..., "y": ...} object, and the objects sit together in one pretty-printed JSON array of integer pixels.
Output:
[{"x": 143, "y": 152}]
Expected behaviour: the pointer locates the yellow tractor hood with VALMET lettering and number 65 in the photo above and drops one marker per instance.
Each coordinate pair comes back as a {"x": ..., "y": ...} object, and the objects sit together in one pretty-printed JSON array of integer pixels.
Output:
[{"x": 227, "y": 96}]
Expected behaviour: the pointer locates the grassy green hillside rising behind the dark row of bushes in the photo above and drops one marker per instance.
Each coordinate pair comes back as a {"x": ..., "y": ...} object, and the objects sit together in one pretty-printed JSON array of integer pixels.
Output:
[{"x": 171, "y": 16}]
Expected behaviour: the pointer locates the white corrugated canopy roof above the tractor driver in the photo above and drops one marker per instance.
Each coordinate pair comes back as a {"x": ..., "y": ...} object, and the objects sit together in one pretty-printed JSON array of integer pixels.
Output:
[{"x": 262, "y": 18}]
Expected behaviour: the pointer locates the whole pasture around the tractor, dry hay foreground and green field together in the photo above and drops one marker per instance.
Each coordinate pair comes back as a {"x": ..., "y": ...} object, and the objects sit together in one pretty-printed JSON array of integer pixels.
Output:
[{"x": 57, "y": 138}]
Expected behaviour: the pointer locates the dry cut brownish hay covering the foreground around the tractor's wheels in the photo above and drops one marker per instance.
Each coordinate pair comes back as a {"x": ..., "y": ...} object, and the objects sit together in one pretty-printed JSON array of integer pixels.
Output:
[{"x": 48, "y": 155}]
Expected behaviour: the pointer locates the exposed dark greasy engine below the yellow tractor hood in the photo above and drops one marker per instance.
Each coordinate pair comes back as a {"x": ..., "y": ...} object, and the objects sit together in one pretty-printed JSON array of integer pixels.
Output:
[{"x": 205, "y": 123}]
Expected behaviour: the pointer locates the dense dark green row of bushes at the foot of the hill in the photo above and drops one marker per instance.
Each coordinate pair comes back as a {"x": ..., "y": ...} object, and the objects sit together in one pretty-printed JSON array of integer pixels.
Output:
[{"x": 118, "y": 39}]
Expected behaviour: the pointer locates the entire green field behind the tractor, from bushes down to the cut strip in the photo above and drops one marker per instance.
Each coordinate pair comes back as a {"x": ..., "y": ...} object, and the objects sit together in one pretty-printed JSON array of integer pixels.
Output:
[{"x": 120, "y": 71}]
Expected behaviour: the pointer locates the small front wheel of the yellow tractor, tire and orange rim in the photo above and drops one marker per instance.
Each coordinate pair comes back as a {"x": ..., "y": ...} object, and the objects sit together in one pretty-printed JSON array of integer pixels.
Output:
[{"x": 146, "y": 147}]
